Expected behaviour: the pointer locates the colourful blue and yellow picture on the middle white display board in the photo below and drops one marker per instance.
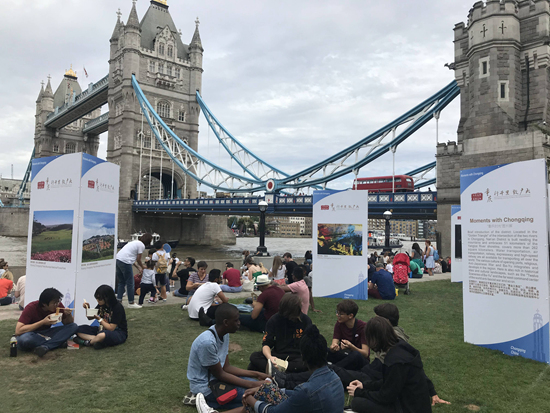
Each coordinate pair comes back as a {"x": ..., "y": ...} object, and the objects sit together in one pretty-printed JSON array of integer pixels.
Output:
[{"x": 340, "y": 239}]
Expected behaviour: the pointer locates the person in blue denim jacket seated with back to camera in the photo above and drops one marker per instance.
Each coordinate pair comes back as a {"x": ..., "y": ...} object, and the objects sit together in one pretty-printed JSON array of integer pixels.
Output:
[{"x": 322, "y": 393}]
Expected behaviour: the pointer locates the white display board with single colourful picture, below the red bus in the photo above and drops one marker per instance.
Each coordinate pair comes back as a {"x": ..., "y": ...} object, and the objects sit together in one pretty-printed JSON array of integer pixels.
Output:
[{"x": 340, "y": 249}]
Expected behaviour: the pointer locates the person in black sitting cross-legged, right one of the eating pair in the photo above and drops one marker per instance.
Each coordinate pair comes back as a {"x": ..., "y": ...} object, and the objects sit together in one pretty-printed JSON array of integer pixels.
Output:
[{"x": 112, "y": 329}]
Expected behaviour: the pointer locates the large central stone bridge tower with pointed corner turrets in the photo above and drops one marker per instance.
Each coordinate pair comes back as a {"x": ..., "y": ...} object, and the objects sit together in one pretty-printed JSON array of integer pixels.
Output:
[{"x": 169, "y": 72}]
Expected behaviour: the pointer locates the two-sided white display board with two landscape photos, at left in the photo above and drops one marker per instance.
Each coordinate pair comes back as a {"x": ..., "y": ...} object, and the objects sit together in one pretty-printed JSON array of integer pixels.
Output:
[{"x": 72, "y": 228}]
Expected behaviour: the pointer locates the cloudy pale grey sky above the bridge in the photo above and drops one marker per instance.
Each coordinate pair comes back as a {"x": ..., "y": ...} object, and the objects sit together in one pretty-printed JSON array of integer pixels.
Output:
[{"x": 295, "y": 81}]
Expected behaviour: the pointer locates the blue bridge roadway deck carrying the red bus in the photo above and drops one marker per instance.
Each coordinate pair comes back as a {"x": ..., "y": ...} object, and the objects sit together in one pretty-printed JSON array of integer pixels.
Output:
[{"x": 412, "y": 205}]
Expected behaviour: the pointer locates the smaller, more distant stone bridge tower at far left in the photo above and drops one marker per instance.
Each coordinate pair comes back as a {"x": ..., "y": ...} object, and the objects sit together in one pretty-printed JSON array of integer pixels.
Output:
[{"x": 68, "y": 139}]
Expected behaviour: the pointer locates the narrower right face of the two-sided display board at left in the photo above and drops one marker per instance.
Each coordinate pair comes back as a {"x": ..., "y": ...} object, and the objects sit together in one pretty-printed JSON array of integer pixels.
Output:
[{"x": 97, "y": 235}]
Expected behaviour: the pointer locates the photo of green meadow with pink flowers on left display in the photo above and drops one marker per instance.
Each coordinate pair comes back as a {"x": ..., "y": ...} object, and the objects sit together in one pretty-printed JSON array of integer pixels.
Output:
[{"x": 52, "y": 236}]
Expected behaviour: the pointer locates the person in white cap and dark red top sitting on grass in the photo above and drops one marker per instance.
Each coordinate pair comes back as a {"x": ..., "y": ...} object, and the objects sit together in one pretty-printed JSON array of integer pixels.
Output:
[{"x": 265, "y": 306}]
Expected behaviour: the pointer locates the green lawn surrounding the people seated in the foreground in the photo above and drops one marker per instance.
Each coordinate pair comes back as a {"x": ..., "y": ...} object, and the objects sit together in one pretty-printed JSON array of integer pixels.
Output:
[{"x": 149, "y": 371}]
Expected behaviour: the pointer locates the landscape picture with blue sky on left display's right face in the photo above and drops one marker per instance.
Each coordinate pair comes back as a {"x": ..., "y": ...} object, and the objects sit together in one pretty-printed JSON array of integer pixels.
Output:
[{"x": 99, "y": 236}]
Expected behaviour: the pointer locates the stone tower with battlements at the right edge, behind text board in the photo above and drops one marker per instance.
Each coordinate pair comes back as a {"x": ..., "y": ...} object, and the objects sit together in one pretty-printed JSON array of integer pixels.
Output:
[{"x": 502, "y": 56}]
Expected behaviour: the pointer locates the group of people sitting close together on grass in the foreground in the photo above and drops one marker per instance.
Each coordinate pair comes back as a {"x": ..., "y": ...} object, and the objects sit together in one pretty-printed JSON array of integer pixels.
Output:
[{"x": 298, "y": 371}]
